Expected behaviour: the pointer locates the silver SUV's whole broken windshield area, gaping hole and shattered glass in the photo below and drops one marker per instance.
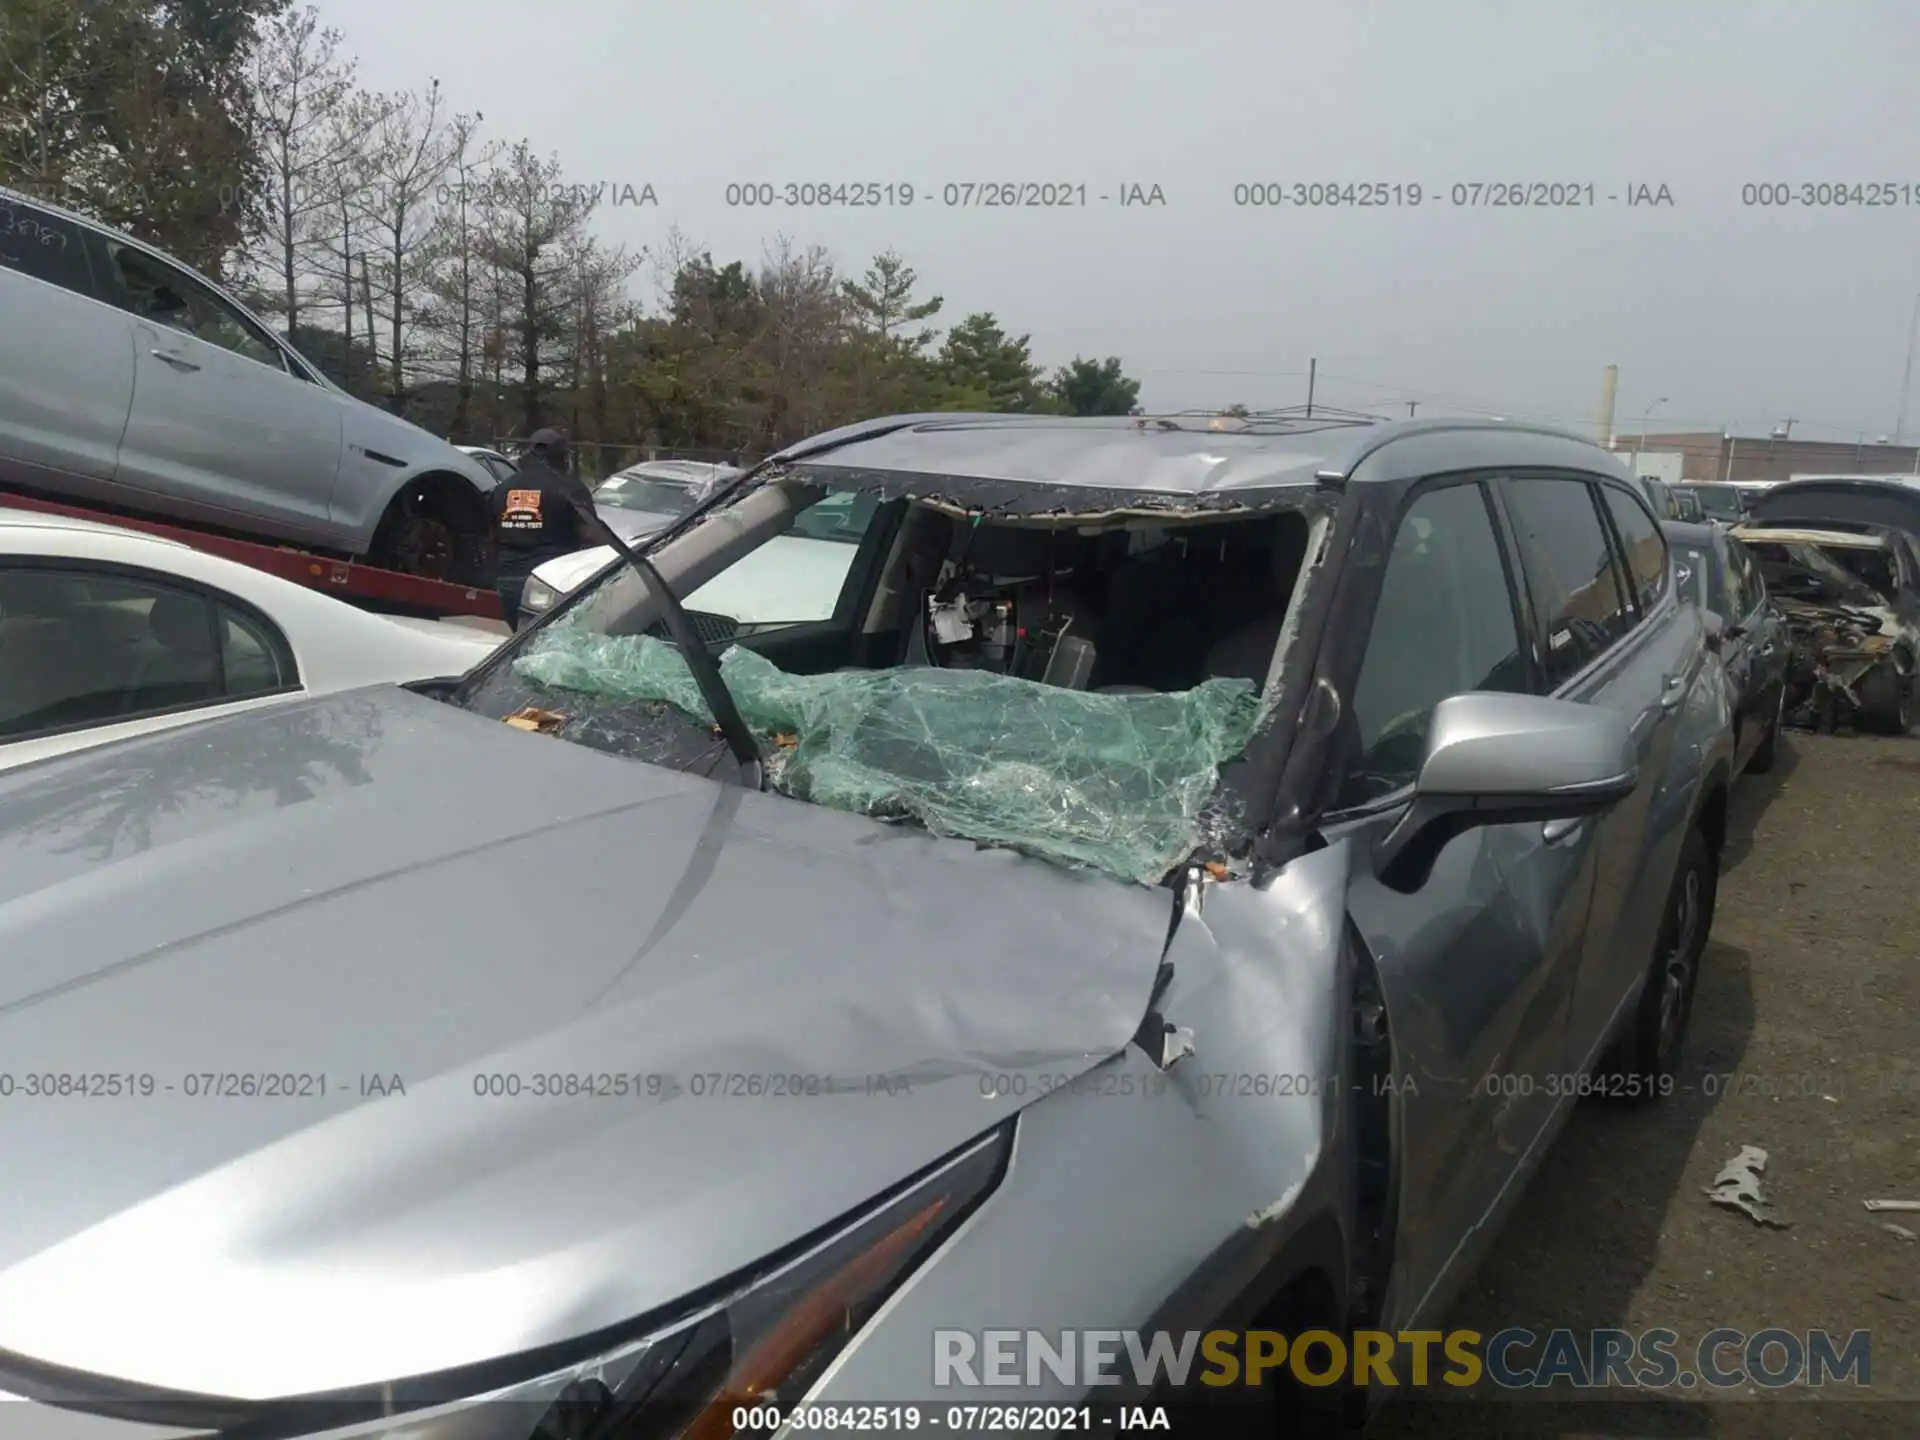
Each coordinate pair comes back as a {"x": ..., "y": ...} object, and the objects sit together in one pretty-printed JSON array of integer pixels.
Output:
[{"x": 1068, "y": 686}]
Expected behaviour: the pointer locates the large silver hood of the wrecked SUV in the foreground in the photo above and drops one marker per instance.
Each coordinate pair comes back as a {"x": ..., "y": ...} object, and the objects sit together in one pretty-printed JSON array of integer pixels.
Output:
[{"x": 410, "y": 901}]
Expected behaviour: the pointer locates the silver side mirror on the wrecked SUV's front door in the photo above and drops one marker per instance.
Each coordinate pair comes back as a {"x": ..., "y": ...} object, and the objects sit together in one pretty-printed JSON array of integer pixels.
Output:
[{"x": 1504, "y": 759}]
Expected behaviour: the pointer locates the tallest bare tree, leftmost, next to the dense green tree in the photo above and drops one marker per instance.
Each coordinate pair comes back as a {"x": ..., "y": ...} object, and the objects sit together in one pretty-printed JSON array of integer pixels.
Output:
[{"x": 300, "y": 87}]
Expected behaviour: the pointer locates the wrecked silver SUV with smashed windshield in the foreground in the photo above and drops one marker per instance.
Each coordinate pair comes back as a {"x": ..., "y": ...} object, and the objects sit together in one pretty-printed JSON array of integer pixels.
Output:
[{"x": 1186, "y": 882}]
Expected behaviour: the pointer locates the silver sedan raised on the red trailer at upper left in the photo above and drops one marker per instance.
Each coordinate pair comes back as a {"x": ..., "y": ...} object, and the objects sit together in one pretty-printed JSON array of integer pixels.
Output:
[{"x": 133, "y": 383}]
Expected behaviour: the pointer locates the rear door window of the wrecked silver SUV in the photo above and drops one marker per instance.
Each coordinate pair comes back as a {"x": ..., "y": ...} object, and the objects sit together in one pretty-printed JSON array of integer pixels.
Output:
[{"x": 1570, "y": 571}]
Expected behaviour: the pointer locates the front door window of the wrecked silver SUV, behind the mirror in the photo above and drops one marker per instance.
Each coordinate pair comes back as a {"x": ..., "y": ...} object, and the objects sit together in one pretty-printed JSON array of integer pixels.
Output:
[{"x": 1445, "y": 625}]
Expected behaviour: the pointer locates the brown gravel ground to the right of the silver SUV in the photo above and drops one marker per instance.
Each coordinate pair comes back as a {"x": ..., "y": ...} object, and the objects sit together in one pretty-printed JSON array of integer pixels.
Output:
[{"x": 1806, "y": 1042}]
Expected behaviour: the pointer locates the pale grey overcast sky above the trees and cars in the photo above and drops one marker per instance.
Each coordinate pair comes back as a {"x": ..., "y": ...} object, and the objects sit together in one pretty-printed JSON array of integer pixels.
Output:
[{"x": 1739, "y": 316}]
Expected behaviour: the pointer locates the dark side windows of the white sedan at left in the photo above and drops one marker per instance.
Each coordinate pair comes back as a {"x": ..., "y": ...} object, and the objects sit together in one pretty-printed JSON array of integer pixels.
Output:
[{"x": 87, "y": 648}]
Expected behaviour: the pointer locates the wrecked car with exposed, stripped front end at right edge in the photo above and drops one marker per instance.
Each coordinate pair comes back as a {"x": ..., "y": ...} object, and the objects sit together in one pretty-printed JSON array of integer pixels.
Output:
[{"x": 1852, "y": 619}]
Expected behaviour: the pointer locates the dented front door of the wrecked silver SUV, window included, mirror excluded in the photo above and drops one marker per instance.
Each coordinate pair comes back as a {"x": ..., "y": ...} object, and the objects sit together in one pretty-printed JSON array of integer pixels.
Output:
[{"x": 1479, "y": 965}]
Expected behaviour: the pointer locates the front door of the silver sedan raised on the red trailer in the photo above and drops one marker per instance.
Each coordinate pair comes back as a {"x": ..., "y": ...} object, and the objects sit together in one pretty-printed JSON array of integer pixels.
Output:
[{"x": 220, "y": 425}]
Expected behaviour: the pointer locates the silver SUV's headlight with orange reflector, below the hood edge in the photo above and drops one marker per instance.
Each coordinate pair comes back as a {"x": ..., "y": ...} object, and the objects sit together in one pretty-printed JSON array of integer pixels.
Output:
[{"x": 765, "y": 1341}]
